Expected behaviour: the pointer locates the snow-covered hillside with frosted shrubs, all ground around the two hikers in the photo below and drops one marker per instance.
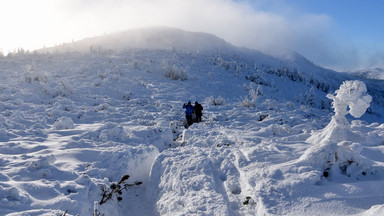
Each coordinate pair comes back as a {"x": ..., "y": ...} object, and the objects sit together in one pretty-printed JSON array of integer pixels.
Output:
[{"x": 75, "y": 119}]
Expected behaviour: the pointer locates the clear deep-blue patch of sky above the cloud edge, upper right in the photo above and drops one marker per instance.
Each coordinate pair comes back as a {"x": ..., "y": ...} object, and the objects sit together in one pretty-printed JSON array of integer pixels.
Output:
[{"x": 361, "y": 21}]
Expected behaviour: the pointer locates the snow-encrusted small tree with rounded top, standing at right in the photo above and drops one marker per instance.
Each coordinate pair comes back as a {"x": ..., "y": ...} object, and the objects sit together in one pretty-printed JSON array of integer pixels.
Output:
[{"x": 334, "y": 148}]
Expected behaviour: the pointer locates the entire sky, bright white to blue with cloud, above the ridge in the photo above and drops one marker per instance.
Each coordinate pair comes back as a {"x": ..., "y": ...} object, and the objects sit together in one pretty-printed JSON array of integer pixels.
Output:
[{"x": 338, "y": 34}]
